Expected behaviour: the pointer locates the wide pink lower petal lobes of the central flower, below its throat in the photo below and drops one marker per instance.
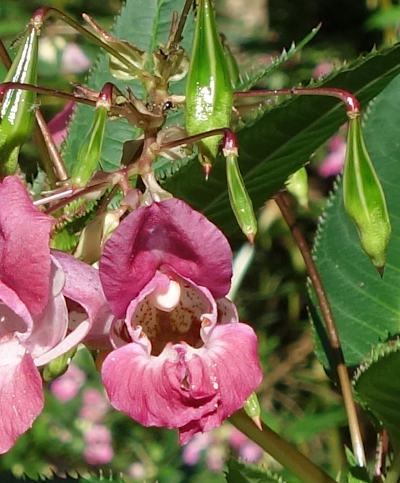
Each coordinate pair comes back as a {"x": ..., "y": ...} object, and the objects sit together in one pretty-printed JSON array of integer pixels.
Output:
[{"x": 190, "y": 389}]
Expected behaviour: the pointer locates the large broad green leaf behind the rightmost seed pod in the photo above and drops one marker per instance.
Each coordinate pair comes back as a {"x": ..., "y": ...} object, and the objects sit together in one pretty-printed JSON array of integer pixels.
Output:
[{"x": 365, "y": 307}]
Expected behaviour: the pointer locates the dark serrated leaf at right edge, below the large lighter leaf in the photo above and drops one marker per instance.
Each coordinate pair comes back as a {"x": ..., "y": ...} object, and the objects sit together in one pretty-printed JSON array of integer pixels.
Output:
[{"x": 378, "y": 388}]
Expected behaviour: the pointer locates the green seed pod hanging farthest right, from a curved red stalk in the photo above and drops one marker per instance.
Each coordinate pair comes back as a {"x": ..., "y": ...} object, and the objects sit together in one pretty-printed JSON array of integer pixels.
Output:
[{"x": 364, "y": 200}]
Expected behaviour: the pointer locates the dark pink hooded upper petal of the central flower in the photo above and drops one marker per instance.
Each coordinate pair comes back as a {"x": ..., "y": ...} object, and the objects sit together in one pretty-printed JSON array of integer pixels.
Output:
[{"x": 168, "y": 235}]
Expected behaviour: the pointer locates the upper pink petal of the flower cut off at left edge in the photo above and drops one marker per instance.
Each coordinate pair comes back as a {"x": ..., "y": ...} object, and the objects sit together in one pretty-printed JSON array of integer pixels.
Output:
[{"x": 24, "y": 245}]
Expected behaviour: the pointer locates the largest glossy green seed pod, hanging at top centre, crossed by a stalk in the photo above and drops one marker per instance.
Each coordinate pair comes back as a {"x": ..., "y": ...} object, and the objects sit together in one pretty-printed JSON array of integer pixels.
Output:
[{"x": 209, "y": 95}]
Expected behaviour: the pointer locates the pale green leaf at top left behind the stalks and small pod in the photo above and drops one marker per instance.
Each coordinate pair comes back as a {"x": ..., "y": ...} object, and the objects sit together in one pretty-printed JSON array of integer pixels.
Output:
[{"x": 145, "y": 24}]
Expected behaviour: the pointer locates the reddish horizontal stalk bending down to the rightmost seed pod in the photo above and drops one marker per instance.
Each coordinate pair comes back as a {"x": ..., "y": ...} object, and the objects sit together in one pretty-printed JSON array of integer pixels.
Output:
[{"x": 350, "y": 101}]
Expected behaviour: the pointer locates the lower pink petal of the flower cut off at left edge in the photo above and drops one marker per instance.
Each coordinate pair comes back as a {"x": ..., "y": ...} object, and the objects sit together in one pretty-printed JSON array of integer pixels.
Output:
[{"x": 21, "y": 395}]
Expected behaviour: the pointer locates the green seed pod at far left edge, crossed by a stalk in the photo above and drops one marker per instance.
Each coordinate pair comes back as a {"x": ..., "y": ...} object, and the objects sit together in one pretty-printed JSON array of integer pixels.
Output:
[{"x": 16, "y": 111}]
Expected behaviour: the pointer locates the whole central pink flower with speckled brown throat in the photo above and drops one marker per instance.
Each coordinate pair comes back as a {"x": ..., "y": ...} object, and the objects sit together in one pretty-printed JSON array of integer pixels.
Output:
[{"x": 181, "y": 359}]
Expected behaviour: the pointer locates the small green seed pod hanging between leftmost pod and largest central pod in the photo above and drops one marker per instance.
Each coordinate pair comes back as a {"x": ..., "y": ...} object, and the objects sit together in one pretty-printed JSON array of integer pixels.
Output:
[{"x": 90, "y": 151}]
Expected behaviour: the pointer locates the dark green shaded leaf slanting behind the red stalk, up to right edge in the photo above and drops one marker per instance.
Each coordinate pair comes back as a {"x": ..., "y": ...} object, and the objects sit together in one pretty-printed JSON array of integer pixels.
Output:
[{"x": 282, "y": 140}]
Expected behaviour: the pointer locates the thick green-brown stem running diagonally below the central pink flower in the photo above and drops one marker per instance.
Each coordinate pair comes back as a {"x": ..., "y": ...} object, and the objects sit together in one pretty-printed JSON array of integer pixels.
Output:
[{"x": 286, "y": 454}]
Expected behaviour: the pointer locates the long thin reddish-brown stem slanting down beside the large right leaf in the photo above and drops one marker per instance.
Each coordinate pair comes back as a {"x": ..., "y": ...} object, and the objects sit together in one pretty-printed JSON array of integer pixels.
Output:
[{"x": 333, "y": 335}]
